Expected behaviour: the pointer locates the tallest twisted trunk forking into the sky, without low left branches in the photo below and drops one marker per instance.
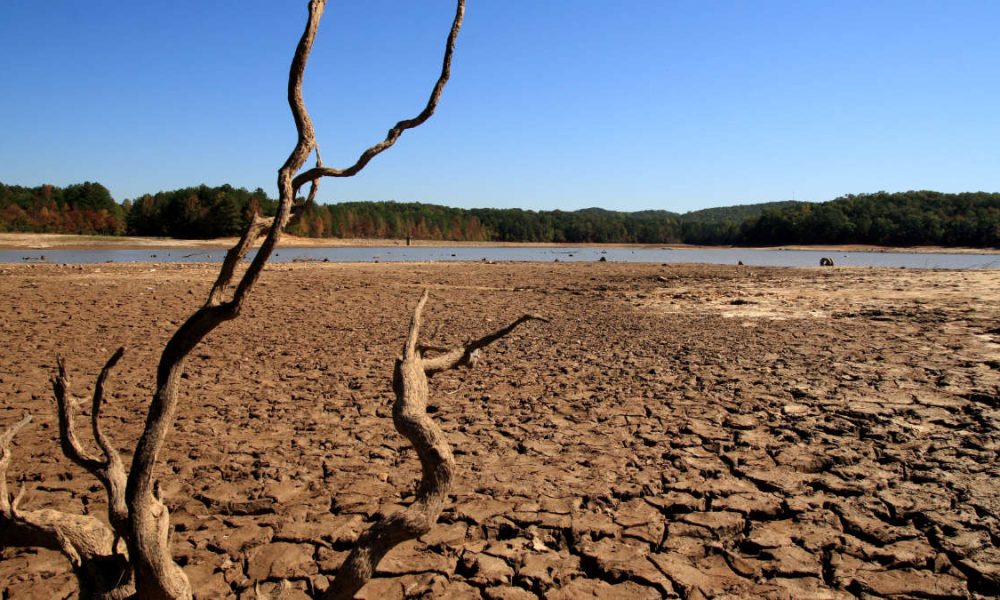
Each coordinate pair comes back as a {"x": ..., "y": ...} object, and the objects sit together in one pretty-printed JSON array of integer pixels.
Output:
[{"x": 157, "y": 575}]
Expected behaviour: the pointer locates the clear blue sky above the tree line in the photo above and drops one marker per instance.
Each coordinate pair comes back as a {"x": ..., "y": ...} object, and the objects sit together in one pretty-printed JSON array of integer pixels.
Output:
[{"x": 552, "y": 104}]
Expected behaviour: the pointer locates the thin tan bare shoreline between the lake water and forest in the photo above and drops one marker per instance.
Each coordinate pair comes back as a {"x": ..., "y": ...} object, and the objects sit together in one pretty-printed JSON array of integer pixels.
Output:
[{"x": 39, "y": 241}]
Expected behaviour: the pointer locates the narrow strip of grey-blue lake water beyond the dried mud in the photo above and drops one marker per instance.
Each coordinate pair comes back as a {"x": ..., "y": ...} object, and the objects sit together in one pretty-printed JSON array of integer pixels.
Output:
[{"x": 725, "y": 256}]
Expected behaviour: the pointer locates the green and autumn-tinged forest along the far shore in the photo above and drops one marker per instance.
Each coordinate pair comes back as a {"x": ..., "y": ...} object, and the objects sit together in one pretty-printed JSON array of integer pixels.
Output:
[{"x": 913, "y": 218}]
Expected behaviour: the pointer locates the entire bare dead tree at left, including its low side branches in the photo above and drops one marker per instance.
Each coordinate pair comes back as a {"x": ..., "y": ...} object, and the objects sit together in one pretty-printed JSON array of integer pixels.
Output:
[{"x": 136, "y": 513}]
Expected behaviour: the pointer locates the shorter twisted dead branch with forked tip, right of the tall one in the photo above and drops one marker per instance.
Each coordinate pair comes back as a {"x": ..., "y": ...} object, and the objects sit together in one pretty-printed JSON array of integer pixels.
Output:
[{"x": 409, "y": 415}]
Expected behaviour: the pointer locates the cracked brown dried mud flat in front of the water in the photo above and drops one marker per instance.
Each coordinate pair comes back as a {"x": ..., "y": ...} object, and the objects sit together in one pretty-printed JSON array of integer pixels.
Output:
[{"x": 682, "y": 431}]
